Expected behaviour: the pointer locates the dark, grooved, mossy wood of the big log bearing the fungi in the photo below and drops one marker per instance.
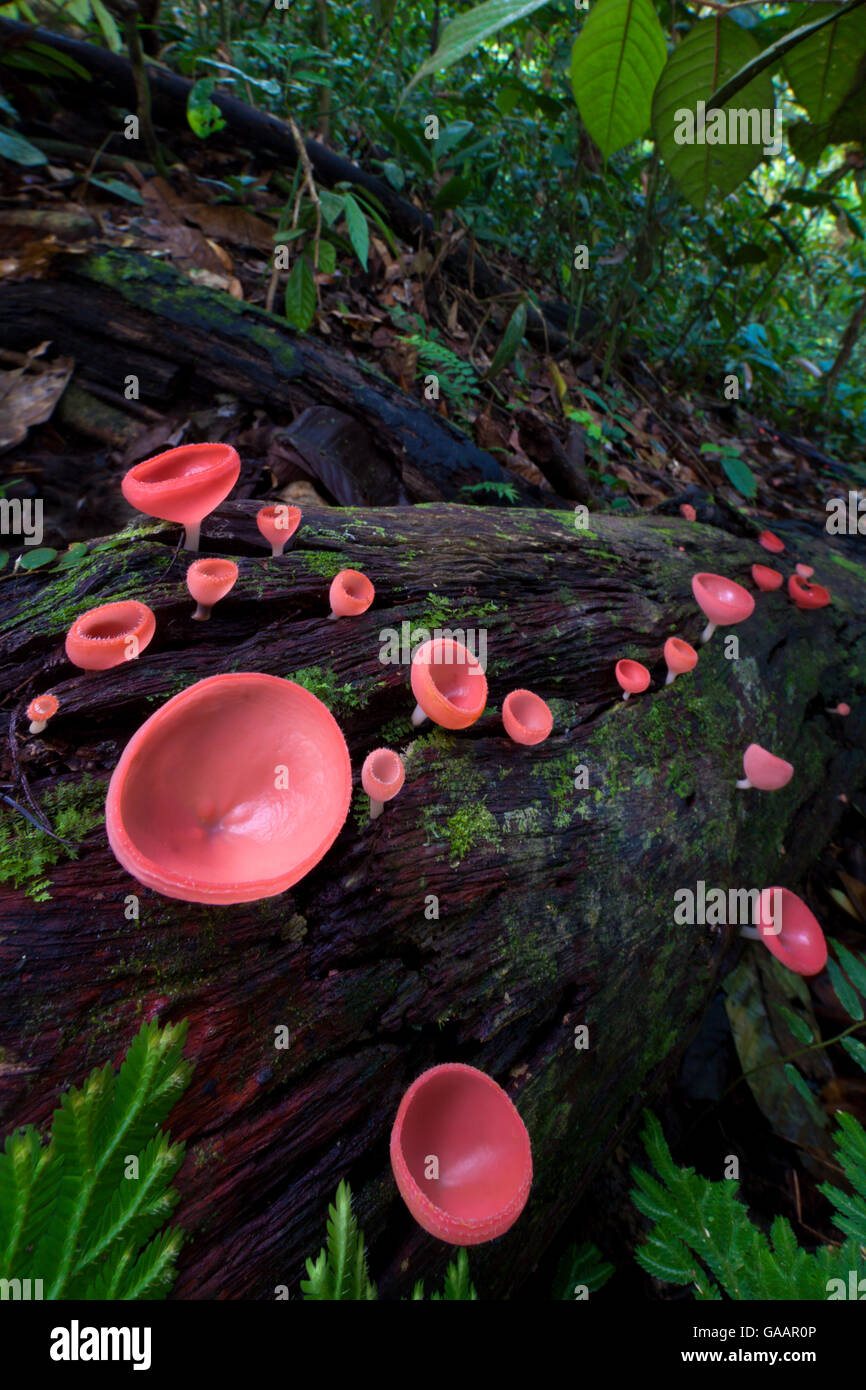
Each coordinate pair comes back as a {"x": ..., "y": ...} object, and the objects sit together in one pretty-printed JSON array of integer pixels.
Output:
[{"x": 555, "y": 903}]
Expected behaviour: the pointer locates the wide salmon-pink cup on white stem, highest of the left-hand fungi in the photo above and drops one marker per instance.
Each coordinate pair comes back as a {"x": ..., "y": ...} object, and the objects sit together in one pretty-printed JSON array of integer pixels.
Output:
[{"x": 184, "y": 484}]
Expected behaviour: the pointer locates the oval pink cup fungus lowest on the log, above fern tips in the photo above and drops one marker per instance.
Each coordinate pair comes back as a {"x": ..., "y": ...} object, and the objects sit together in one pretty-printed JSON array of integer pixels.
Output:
[{"x": 461, "y": 1156}]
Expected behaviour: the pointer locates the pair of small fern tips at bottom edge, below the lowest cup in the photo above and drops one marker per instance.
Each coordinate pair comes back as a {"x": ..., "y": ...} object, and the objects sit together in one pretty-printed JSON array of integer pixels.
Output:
[{"x": 340, "y": 1273}]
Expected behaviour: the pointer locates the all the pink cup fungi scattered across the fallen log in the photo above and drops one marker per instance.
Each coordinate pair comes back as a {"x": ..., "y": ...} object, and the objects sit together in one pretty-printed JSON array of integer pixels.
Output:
[{"x": 197, "y": 812}]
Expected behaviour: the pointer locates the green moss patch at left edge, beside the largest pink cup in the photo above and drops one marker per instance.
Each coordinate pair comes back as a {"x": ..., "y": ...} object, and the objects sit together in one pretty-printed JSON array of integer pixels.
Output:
[{"x": 73, "y": 810}]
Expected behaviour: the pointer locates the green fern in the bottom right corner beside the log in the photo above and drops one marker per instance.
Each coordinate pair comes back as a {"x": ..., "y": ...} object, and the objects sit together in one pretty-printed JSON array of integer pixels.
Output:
[{"x": 703, "y": 1234}]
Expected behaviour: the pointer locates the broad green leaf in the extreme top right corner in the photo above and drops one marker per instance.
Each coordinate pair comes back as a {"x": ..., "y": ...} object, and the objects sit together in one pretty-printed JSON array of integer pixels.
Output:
[{"x": 824, "y": 67}]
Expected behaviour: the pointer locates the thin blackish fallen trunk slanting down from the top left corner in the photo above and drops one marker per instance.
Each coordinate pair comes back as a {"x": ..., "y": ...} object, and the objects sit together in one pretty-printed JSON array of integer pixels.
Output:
[{"x": 268, "y": 134}]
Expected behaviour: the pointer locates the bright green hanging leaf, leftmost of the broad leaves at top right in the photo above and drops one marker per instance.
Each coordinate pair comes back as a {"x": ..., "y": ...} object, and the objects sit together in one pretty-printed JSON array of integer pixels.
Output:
[{"x": 616, "y": 62}]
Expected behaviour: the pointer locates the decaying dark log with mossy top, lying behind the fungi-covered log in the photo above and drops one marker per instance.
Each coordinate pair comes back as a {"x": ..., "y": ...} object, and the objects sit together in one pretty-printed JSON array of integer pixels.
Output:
[{"x": 119, "y": 313}]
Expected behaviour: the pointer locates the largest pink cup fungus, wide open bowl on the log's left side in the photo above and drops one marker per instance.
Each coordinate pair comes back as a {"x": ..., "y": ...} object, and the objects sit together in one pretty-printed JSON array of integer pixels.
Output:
[{"x": 231, "y": 793}]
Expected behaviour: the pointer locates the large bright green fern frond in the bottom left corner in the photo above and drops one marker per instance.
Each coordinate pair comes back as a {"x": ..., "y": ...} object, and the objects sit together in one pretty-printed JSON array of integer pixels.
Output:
[{"x": 72, "y": 1213}]
